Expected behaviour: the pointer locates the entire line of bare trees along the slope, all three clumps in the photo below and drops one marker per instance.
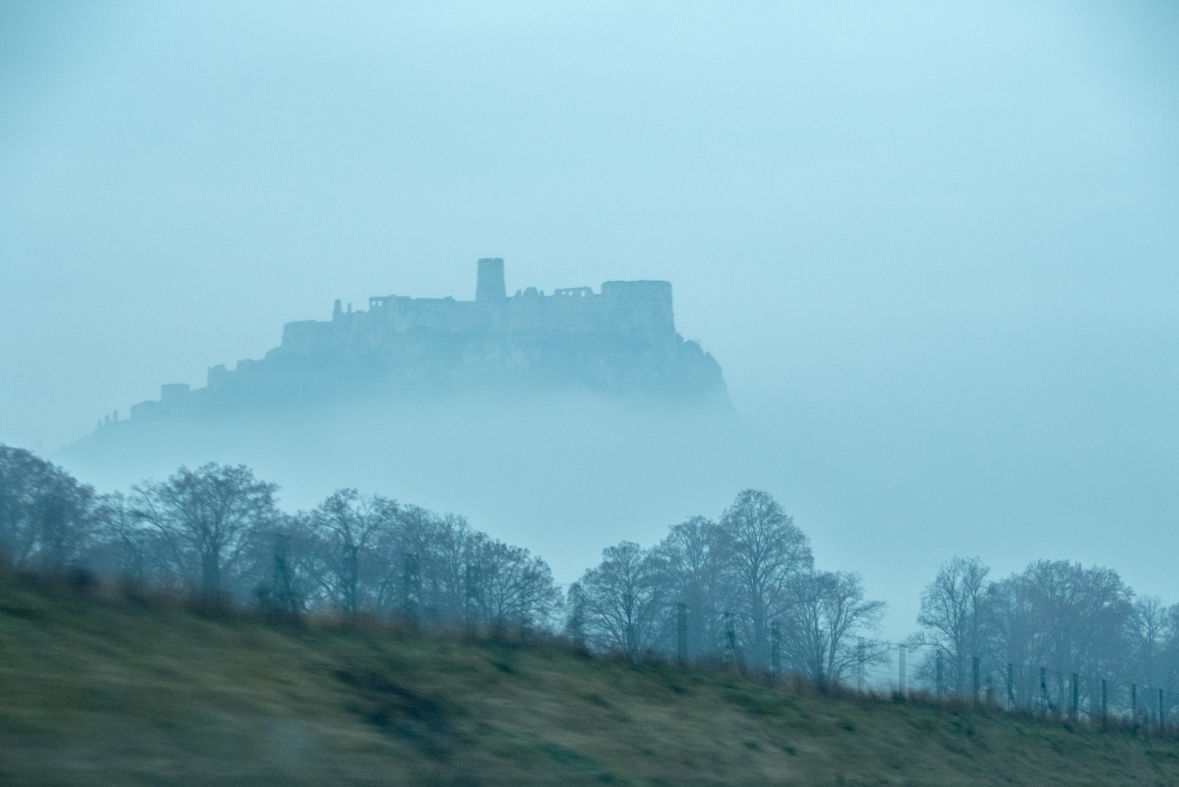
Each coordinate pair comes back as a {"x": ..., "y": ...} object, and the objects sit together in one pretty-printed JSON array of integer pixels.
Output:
[{"x": 742, "y": 588}]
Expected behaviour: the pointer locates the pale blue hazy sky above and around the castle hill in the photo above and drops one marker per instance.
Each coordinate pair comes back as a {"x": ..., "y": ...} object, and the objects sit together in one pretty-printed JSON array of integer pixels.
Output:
[{"x": 933, "y": 246}]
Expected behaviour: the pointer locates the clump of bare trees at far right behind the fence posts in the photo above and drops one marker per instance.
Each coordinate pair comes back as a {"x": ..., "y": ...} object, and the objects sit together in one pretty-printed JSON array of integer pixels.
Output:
[{"x": 1057, "y": 617}]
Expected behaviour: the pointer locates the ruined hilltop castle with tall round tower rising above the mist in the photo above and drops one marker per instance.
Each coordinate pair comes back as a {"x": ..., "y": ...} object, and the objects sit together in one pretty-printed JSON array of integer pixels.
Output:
[{"x": 618, "y": 342}]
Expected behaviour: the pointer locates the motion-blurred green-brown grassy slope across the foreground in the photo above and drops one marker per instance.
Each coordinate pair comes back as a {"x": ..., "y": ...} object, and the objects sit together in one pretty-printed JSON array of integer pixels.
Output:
[{"x": 117, "y": 695}]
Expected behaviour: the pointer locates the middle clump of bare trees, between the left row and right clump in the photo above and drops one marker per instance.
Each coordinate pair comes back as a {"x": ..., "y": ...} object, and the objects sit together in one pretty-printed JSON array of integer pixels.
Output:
[{"x": 750, "y": 591}]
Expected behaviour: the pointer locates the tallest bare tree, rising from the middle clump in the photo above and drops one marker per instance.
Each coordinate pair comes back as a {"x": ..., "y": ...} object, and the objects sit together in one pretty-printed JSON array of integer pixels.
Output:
[{"x": 765, "y": 551}]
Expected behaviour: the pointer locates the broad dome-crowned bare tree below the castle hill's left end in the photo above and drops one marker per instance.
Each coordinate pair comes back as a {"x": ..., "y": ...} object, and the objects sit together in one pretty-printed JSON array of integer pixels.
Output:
[{"x": 208, "y": 518}]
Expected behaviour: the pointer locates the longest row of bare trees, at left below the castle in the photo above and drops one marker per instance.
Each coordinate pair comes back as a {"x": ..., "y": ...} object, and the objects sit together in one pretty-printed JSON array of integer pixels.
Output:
[{"x": 216, "y": 533}]
